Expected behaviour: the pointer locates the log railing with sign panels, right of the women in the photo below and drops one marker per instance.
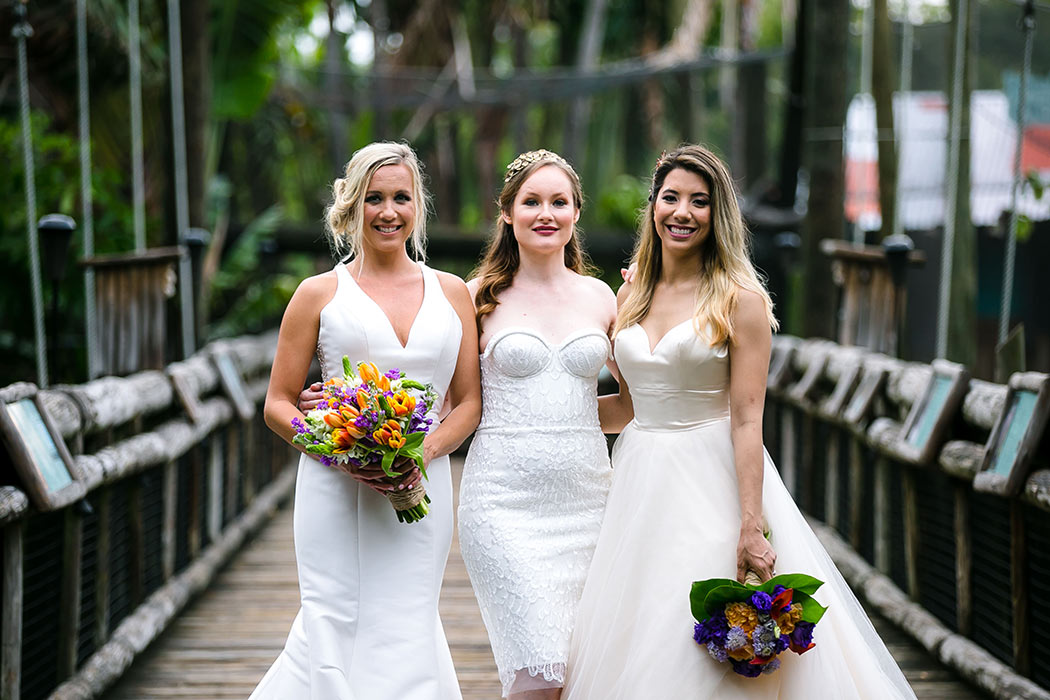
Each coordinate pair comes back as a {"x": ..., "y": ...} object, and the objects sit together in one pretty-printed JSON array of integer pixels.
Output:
[{"x": 933, "y": 498}]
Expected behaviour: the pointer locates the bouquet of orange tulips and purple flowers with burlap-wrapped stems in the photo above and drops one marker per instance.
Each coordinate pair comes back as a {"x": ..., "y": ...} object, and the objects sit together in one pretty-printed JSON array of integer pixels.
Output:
[{"x": 372, "y": 419}]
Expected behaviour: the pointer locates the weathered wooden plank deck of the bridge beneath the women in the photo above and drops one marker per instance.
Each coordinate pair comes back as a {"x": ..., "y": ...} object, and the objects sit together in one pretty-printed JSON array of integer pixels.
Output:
[{"x": 224, "y": 643}]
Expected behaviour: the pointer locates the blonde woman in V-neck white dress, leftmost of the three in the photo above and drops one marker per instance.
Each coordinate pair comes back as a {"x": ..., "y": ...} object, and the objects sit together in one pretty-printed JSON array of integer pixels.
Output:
[{"x": 369, "y": 625}]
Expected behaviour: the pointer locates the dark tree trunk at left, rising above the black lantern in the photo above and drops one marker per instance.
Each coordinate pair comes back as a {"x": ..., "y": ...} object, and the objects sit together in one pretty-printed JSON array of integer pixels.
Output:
[{"x": 197, "y": 98}]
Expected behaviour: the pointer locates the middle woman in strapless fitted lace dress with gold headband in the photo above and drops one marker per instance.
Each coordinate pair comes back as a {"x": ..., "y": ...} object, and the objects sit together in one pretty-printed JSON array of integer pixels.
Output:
[{"x": 536, "y": 479}]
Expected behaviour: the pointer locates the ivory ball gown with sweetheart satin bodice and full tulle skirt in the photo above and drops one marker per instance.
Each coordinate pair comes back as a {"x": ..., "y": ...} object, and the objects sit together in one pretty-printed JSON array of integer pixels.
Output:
[{"x": 674, "y": 517}]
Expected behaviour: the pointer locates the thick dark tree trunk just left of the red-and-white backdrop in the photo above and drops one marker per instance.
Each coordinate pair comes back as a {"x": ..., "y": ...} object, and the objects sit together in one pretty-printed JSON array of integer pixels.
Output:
[{"x": 826, "y": 103}]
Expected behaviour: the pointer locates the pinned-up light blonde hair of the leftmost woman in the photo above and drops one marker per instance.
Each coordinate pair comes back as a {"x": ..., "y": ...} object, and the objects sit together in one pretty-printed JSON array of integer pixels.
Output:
[{"x": 345, "y": 218}]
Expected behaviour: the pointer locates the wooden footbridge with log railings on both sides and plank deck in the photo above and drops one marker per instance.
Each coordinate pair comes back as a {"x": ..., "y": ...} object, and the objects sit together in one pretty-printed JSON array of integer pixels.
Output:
[{"x": 128, "y": 577}]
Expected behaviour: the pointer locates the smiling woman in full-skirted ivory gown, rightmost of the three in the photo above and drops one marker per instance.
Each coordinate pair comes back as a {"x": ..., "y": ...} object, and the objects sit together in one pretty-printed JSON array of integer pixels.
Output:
[{"x": 692, "y": 484}]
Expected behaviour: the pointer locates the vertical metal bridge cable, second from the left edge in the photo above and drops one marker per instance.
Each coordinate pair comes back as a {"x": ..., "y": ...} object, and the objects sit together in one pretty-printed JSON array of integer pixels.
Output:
[{"x": 88, "y": 211}]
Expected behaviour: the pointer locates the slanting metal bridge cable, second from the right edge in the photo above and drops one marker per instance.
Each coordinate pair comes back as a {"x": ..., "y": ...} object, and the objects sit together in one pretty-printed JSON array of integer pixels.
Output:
[{"x": 949, "y": 243}]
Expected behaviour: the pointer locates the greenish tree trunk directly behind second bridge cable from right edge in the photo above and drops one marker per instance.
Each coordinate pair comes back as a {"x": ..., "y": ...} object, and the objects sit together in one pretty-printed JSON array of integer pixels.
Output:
[{"x": 963, "y": 295}]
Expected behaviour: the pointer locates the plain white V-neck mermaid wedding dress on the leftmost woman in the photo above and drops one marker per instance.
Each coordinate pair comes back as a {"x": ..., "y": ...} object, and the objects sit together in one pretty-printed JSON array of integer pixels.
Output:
[{"x": 369, "y": 627}]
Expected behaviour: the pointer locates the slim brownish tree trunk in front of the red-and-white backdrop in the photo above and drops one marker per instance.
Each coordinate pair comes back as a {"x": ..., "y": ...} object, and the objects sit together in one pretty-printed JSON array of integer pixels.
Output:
[{"x": 883, "y": 93}]
